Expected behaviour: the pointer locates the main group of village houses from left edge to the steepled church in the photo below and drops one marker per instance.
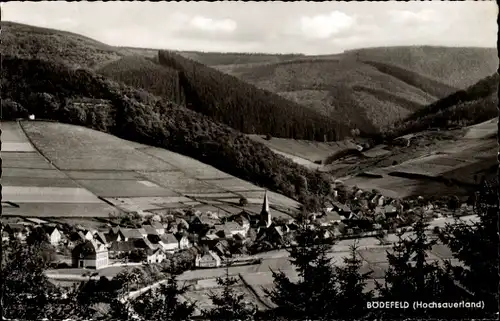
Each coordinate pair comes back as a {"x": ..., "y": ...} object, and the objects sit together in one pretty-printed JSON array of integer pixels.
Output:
[{"x": 211, "y": 237}]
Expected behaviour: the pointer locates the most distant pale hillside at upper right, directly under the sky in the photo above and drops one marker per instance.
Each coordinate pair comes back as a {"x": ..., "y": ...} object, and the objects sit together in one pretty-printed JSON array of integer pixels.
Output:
[{"x": 456, "y": 67}]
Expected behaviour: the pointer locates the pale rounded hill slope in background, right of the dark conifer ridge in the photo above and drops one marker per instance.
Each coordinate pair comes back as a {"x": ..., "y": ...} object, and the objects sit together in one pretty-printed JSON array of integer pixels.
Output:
[{"x": 354, "y": 92}]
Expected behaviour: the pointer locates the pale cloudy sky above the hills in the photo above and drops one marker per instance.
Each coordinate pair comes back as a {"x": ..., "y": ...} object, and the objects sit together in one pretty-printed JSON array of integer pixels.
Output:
[{"x": 275, "y": 27}]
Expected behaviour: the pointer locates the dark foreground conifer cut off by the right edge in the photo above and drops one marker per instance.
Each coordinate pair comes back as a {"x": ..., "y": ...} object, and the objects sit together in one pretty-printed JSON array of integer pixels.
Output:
[{"x": 475, "y": 246}]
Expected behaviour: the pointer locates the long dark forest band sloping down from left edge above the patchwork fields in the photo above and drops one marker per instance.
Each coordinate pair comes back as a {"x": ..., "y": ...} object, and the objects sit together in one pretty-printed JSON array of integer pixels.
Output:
[{"x": 48, "y": 90}]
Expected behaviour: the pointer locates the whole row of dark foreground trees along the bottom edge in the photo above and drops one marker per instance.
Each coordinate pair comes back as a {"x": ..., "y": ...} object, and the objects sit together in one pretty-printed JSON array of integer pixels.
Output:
[{"x": 322, "y": 292}]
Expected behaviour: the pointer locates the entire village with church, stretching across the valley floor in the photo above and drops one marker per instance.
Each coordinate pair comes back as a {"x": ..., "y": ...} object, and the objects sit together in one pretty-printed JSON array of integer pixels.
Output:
[{"x": 212, "y": 241}]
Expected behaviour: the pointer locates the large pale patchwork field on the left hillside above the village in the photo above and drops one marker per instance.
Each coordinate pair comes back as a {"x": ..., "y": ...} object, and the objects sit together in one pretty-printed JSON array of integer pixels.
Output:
[{"x": 86, "y": 165}]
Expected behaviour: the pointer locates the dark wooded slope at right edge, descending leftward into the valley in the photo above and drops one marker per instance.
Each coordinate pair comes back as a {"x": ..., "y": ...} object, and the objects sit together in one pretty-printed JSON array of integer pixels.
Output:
[{"x": 473, "y": 105}]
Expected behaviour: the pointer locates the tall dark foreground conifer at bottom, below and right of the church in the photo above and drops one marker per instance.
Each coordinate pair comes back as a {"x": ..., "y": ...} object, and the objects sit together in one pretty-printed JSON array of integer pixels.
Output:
[{"x": 314, "y": 295}]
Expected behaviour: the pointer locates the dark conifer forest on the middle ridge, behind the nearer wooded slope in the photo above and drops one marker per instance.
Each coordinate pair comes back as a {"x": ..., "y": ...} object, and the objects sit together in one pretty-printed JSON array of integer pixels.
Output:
[{"x": 244, "y": 107}]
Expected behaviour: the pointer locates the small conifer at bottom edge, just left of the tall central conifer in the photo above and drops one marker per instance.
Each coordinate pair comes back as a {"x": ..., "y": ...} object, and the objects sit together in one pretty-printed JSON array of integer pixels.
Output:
[{"x": 229, "y": 305}]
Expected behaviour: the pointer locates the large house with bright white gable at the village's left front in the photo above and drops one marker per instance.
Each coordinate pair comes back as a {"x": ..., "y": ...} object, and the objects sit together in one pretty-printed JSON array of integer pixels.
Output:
[{"x": 90, "y": 254}]
